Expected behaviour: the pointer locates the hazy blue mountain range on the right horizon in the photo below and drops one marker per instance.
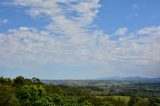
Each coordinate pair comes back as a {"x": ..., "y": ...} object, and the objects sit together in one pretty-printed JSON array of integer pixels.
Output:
[{"x": 136, "y": 78}]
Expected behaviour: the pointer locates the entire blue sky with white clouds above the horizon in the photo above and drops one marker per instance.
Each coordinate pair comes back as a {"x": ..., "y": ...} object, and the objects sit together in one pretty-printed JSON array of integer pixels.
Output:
[{"x": 79, "y": 39}]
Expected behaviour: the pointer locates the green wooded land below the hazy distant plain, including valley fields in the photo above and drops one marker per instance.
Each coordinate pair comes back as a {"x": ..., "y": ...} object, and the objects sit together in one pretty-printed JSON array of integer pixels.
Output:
[{"x": 32, "y": 92}]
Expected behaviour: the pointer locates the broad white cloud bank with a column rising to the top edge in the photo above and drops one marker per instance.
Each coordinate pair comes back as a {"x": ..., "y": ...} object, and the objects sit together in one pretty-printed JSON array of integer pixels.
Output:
[{"x": 69, "y": 38}]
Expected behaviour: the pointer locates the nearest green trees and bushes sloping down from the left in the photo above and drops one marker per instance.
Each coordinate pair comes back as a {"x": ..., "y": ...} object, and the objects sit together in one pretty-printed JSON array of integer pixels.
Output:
[{"x": 32, "y": 92}]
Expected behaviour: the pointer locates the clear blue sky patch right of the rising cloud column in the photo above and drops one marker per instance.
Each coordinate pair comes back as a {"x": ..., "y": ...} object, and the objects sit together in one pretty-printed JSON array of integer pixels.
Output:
[{"x": 133, "y": 14}]
